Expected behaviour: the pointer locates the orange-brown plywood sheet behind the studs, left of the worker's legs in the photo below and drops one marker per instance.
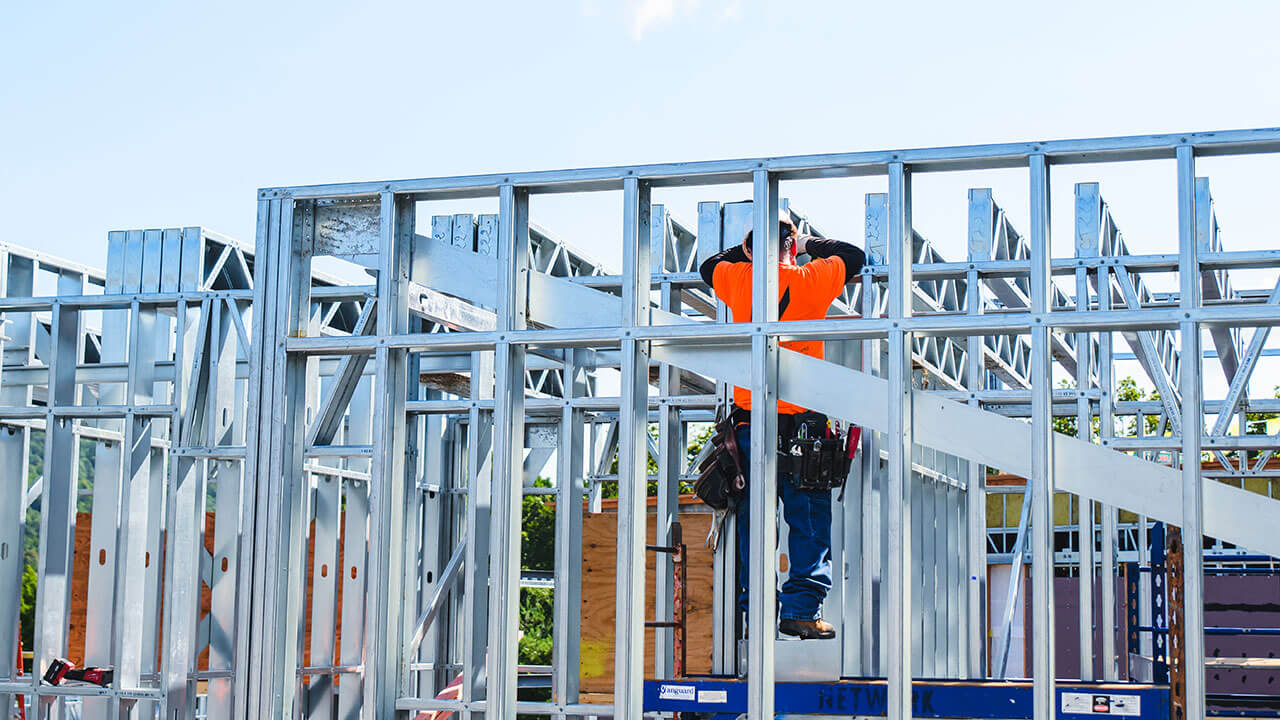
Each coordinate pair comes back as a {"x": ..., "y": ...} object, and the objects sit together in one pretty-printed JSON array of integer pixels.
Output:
[{"x": 600, "y": 598}]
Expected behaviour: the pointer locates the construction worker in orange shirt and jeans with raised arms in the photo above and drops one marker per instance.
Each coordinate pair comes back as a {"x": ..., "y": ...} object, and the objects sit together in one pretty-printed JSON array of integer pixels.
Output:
[{"x": 804, "y": 294}]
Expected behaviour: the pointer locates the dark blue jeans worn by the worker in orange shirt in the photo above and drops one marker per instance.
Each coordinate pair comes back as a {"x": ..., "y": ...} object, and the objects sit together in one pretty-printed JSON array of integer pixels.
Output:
[{"x": 808, "y": 516}]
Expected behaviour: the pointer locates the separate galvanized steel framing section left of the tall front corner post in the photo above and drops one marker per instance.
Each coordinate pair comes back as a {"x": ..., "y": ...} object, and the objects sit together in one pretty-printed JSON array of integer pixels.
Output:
[{"x": 152, "y": 357}]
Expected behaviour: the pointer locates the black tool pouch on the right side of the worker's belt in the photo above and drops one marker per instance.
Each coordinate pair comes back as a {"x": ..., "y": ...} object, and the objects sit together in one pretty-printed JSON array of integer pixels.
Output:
[{"x": 815, "y": 453}]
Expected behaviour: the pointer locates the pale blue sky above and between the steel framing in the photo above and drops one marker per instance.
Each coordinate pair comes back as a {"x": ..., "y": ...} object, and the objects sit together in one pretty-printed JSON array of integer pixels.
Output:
[{"x": 130, "y": 116}]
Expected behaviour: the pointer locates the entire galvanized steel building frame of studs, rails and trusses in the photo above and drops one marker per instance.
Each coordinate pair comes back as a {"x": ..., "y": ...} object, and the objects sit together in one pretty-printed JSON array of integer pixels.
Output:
[{"x": 394, "y": 429}]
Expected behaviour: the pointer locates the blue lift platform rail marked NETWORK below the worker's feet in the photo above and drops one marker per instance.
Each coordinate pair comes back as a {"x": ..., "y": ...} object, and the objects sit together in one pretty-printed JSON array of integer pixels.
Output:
[{"x": 930, "y": 699}]
